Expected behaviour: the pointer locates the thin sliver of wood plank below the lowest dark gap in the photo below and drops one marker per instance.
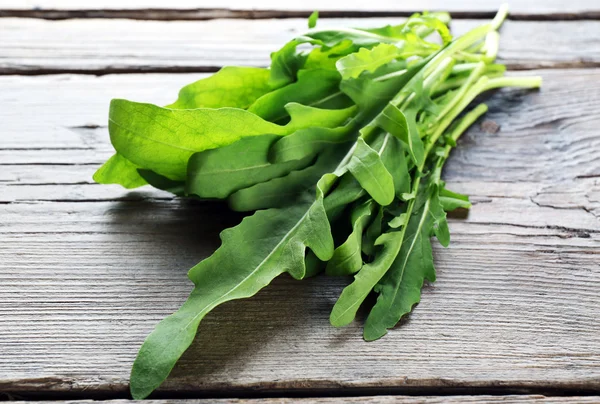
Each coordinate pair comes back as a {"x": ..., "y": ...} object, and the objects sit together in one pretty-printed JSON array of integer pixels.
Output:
[{"x": 510, "y": 399}]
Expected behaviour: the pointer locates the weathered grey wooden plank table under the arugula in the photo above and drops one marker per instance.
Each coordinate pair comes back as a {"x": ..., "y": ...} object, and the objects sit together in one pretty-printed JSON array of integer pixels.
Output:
[{"x": 86, "y": 270}]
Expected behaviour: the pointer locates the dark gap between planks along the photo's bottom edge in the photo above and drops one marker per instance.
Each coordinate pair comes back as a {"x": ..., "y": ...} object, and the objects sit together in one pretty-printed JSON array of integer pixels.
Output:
[{"x": 508, "y": 393}]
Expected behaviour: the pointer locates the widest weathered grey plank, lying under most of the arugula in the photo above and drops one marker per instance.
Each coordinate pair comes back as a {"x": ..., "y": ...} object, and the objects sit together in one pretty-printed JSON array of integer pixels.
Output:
[{"x": 87, "y": 270}]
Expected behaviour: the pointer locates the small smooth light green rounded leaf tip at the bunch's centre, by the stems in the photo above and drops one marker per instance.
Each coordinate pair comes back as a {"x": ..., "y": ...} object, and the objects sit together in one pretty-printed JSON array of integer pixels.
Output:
[{"x": 368, "y": 169}]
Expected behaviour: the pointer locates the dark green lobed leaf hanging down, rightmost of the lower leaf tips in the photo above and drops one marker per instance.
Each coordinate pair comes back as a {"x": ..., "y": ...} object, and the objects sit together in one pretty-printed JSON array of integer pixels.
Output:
[{"x": 400, "y": 288}]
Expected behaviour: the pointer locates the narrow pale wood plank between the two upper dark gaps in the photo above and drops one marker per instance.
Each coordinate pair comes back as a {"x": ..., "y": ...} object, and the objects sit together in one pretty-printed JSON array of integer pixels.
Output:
[{"x": 32, "y": 46}]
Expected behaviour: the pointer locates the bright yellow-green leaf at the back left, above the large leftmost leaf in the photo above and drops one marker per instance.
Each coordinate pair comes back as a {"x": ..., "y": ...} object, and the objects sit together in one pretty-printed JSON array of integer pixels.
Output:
[{"x": 235, "y": 87}]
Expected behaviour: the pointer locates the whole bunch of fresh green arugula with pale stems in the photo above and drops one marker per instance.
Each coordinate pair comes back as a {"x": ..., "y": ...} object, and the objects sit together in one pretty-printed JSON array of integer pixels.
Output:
[{"x": 349, "y": 129}]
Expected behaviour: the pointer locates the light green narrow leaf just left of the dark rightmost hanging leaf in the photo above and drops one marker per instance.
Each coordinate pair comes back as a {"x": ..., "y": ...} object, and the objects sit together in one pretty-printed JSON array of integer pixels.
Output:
[{"x": 354, "y": 294}]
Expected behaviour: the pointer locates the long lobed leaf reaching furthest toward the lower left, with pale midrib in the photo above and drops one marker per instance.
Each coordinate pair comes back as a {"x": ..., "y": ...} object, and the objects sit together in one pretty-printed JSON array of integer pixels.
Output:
[{"x": 263, "y": 246}]
